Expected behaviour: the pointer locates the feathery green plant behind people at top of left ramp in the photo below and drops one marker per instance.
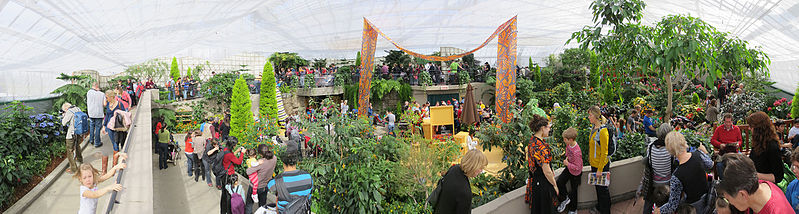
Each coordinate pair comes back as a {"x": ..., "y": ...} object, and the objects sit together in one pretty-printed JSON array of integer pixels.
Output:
[{"x": 74, "y": 92}]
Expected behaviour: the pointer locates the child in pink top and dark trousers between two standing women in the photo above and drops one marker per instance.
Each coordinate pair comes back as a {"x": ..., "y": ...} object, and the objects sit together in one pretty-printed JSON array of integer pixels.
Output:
[{"x": 574, "y": 165}]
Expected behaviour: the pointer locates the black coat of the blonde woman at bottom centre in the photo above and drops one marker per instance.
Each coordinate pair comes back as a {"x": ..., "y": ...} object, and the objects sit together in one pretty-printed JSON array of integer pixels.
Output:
[{"x": 456, "y": 195}]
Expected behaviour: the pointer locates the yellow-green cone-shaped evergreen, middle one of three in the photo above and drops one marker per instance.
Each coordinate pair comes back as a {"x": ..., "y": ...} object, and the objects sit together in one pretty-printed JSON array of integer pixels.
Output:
[{"x": 240, "y": 105}]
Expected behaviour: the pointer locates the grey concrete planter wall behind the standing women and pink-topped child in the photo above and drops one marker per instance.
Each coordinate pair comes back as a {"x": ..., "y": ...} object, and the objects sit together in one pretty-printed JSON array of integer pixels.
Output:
[{"x": 624, "y": 179}]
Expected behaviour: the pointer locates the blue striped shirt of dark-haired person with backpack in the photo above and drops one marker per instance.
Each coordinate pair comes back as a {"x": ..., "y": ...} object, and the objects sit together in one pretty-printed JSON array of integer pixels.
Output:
[{"x": 298, "y": 182}]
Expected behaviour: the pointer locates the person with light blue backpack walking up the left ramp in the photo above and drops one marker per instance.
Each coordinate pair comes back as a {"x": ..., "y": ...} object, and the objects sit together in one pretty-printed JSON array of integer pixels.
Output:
[{"x": 77, "y": 124}]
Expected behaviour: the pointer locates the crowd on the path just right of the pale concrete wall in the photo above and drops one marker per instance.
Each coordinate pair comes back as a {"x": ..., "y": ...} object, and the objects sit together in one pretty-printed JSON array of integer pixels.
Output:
[{"x": 212, "y": 156}]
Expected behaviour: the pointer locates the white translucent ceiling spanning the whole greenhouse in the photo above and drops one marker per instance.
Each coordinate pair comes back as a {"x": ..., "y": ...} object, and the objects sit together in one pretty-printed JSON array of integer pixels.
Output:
[{"x": 41, "y": 38}]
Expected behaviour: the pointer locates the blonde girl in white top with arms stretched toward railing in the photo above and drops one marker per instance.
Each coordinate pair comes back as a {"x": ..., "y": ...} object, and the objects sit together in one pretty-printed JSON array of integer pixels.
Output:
[{"x": 89, "y": 177}]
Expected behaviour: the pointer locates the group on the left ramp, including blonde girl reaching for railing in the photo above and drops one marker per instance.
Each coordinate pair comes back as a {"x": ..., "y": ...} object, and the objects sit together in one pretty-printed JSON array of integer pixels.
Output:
[{"x": 105, "y": 123}]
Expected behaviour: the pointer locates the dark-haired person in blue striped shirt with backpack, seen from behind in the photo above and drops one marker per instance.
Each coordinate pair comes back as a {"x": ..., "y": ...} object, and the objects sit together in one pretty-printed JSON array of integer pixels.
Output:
[{"x": 293, "y": 187}]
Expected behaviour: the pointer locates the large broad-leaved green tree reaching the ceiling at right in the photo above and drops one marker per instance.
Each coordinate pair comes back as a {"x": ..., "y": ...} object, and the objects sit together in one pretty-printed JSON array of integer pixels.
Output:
[{"x": 678, "y": 49}]
